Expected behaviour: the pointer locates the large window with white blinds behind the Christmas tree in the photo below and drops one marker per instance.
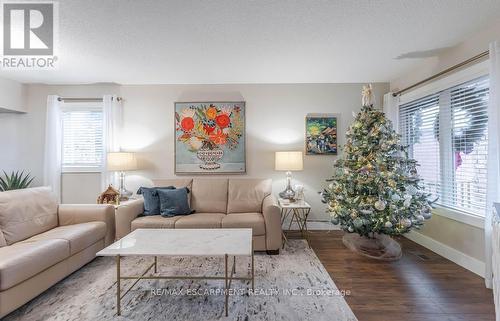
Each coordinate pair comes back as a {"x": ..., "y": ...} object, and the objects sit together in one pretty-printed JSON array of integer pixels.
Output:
[{"x": 447, "y": 134}]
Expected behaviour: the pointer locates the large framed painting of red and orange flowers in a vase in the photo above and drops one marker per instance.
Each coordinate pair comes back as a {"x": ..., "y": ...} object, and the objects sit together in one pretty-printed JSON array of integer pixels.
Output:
[{"x": 210, "y": 137}]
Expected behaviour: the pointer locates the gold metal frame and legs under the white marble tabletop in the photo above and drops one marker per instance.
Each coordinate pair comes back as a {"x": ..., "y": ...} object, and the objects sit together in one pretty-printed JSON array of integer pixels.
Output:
[{"x": 228, "y": 278}]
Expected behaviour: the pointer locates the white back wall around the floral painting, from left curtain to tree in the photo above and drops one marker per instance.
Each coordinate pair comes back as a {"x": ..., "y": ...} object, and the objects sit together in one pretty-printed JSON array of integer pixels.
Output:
[{"x": 275, "y": 120}]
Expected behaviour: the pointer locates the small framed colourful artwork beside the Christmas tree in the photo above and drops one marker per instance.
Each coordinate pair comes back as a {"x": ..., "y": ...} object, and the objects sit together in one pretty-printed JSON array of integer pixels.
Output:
[{"x": 321, "y": 134}]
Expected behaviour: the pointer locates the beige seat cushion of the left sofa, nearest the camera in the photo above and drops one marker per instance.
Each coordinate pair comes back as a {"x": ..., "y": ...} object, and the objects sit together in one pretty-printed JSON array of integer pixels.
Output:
[{"x": 23, "y": 260}]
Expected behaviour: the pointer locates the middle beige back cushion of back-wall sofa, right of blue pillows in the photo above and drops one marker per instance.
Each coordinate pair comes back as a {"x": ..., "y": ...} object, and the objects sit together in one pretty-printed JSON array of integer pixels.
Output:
[{"x": 209, "y": 195}]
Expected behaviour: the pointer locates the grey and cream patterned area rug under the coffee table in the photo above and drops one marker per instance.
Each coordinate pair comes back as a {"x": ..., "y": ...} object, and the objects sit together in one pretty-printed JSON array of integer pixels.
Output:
[{"x": 291, "y": 286}]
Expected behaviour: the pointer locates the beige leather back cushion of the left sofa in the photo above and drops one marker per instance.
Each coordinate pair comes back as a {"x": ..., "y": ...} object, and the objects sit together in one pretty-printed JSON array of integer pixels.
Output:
[{"x": 27, "y": 212}]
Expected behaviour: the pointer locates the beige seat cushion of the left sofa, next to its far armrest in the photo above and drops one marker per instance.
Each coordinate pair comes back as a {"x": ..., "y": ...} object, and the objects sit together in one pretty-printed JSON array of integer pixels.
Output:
[{"x": 80, "y": 236}]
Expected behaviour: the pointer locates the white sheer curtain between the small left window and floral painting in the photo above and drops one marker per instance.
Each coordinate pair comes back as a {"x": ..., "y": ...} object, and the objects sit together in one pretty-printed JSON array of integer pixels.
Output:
[{"x": 113, "y": 121}]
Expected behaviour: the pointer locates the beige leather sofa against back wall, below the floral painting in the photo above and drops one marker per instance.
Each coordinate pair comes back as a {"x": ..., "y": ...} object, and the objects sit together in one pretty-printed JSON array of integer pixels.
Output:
[{"x": 219, "y": 203}]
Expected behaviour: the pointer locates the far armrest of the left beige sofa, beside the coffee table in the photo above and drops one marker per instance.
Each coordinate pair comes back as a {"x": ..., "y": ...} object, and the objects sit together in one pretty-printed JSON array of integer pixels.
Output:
[{"x": 70, "y": 214}]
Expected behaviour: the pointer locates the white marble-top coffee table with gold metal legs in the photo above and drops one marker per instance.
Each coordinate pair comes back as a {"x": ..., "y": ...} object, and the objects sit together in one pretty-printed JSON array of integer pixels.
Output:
[{"x": 182, "y": 242}]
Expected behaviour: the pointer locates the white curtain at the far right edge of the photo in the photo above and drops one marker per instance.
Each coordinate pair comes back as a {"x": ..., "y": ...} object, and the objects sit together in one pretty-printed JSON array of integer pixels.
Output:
[{"x": 493, "y": 193}]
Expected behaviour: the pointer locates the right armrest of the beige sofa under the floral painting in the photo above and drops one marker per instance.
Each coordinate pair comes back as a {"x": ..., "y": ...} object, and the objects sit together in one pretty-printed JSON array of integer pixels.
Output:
[{"x": 272, "y": 219}]
